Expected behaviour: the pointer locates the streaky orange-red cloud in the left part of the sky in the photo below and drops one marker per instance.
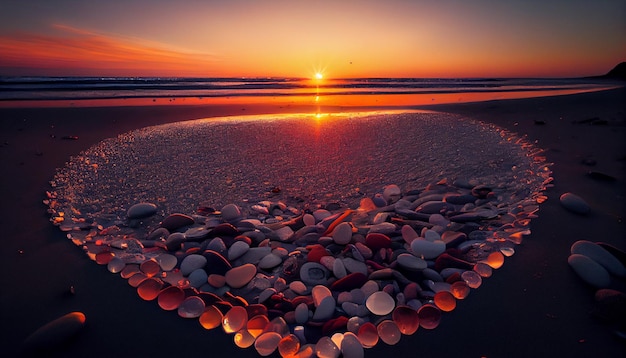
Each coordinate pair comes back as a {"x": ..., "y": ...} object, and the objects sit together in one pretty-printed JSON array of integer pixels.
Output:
[{"x": 90, "y": 52}]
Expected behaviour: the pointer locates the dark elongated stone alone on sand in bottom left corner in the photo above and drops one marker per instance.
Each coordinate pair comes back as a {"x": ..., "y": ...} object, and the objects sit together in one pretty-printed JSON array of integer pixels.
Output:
[{"x": 55, "y": 333}]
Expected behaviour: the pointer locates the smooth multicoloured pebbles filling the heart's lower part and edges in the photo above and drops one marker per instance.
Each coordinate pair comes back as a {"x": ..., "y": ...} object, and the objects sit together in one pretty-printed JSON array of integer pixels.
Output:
[{"x": 319, "y": 278}]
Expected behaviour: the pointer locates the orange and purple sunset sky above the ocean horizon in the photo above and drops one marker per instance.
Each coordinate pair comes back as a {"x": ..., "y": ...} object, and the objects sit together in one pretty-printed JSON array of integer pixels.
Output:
[{"x": 341, "y": 39}]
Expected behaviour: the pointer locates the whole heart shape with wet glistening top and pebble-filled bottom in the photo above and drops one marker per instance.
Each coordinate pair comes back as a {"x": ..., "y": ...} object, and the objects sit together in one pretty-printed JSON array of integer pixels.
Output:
[{"x": 300, "y": 234}]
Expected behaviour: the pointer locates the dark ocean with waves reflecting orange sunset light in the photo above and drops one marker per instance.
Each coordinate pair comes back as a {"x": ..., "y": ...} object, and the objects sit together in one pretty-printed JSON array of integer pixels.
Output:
[{"x": 162, "y": 90}]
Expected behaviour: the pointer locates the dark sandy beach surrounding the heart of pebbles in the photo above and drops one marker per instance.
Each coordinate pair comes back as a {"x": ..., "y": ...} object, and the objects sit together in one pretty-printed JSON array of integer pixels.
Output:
[{"x": 533, "y": 306}]
